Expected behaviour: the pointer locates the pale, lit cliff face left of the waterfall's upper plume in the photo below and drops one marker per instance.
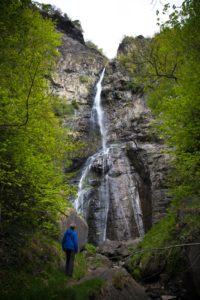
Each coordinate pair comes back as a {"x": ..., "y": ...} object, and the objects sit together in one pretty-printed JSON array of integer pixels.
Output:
[{"x": 77, "y": 71}]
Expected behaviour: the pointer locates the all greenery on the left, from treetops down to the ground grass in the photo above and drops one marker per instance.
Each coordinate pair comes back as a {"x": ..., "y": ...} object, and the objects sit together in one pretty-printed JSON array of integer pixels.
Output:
[{"x": 35, "y": 149}]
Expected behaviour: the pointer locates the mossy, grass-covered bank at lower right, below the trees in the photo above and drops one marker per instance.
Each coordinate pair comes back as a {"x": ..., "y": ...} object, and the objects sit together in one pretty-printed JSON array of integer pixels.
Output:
[{"x": 180, "y": 226}]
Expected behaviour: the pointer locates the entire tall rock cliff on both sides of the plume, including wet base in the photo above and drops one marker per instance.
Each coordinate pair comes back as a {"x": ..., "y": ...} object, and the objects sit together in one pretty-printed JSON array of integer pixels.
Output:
[{"x": 125, "y": 185}]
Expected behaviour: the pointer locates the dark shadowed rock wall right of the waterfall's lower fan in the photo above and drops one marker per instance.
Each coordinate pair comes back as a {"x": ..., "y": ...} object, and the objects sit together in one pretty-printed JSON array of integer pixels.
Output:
[{"x": 153, "y": 167}]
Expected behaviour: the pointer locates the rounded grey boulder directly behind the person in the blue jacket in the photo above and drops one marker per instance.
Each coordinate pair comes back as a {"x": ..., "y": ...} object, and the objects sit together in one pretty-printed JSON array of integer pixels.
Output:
[{"x": 81, "y": 226}]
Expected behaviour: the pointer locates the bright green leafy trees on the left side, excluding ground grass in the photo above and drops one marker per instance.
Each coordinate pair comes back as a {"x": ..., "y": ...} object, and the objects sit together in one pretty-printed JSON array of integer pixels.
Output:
[{"x": 33, "y": 147}]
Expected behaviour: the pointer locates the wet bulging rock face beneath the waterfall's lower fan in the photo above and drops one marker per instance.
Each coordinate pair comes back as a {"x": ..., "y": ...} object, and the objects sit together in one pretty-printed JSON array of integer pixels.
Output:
[{"x": 112, "y": 206}]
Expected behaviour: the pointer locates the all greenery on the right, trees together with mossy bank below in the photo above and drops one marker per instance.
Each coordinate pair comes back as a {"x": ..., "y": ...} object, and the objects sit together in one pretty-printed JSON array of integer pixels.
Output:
[{"x": 168, "y": 66}]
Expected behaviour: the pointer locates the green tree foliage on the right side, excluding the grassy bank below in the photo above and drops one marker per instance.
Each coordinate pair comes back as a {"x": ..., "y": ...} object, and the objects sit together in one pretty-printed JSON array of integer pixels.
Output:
[{"x": 169, "y": 67}]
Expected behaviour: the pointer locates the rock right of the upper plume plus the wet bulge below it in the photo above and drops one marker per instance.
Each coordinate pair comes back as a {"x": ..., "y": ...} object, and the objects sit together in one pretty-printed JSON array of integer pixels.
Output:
[{"x": 126, "y": 190}]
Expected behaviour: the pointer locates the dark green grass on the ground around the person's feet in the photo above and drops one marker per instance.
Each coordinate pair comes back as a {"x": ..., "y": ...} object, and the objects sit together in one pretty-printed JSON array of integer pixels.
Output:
[{"x": 49, "y": 283}]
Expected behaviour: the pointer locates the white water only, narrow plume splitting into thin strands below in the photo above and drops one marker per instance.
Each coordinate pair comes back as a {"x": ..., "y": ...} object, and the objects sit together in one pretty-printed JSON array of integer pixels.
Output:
[{"x": 81, "y": 202}]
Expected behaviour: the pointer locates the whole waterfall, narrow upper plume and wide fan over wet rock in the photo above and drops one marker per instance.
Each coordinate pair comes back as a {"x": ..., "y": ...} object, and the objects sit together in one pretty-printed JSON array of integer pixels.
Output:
[{"x": 108, "y": 196}]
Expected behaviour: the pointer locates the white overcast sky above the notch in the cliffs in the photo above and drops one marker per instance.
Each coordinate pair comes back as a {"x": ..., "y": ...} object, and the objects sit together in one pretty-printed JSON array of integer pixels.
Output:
[{"x": 106, "y": 22}]
